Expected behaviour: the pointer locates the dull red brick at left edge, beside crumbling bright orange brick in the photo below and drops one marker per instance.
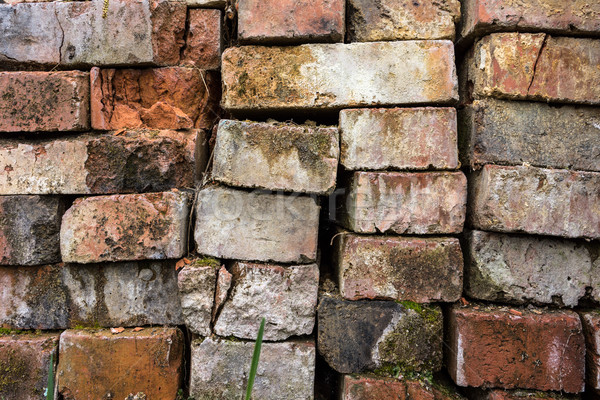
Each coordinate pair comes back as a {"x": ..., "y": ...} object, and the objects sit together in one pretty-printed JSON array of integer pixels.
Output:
[{"x": 44, "y": 101}]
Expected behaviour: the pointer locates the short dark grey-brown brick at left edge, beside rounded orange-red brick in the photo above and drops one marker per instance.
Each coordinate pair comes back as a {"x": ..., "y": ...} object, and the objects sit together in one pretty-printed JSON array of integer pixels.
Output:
[{"x": 29, "y": 229}]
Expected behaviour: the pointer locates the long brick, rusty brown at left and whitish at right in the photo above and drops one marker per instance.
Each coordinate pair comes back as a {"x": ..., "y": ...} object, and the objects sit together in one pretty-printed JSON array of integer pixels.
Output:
[{"x": 331, "y": 76}]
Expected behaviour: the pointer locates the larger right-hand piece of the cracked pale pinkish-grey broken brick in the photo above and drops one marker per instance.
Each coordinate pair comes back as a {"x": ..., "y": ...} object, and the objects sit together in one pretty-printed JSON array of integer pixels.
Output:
[{"x": 285, "y": 295}]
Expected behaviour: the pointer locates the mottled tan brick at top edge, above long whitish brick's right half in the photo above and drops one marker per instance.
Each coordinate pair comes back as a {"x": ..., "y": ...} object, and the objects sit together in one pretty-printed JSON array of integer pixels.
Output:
[{"x": 370, "y": 21}]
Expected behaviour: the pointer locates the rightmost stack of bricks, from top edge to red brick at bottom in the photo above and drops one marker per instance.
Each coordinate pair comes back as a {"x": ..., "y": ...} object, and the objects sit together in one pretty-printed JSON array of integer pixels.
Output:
[{"x": 529, "y": 132}]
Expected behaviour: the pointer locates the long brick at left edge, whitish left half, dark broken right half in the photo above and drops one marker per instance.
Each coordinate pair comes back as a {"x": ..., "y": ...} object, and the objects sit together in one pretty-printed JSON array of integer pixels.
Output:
[{"x": 133, "y": 161}]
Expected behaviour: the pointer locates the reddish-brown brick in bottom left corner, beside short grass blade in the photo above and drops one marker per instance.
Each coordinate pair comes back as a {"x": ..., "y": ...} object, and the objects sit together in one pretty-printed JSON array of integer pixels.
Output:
[{"x": 24, "y": 364}]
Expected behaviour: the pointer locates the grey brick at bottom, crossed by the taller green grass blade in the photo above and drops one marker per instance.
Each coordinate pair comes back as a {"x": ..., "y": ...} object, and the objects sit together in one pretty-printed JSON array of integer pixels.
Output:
[{"x": 219, "y": 369}]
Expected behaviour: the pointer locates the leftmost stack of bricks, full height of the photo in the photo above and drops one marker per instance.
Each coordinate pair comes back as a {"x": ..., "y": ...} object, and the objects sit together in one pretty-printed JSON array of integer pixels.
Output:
[{"x": 105, "y": 115}]
